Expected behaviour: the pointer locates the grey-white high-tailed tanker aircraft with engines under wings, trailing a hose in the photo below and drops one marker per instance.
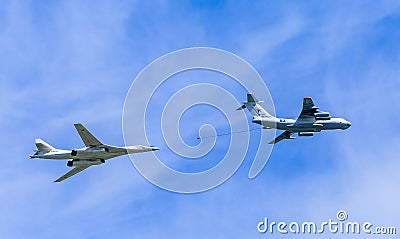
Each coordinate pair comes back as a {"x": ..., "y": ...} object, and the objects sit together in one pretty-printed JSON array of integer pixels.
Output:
[{"x": 311, "y": 119}]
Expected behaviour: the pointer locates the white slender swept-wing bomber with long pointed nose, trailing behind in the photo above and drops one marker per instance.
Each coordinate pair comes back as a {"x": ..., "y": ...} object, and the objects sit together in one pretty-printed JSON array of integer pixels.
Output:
[{"x": 94, "y": 153}]
